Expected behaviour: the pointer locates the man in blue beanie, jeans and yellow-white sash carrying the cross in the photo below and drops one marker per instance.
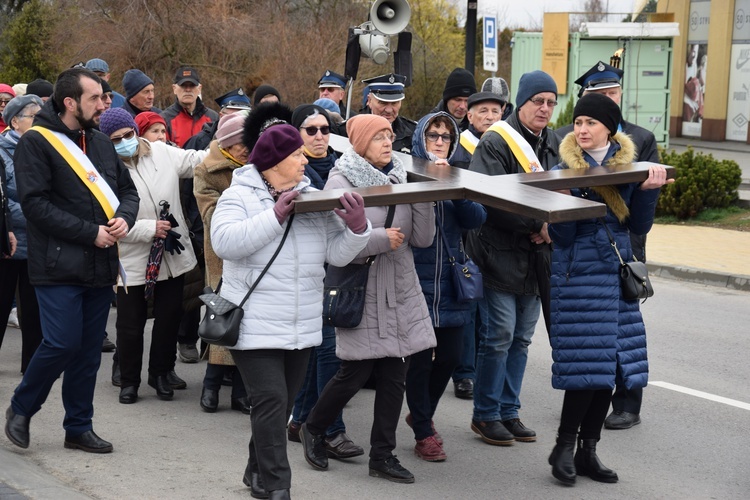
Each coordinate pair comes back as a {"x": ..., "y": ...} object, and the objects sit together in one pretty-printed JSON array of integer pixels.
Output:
[{"x": 512, "y": 251}]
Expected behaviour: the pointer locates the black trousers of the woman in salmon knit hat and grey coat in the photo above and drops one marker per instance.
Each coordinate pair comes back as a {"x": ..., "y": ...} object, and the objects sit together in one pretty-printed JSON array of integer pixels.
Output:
[{"x": 389, "y": 375}]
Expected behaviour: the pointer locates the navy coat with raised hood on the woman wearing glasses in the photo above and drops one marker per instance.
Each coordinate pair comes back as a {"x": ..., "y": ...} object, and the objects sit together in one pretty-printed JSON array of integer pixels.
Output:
[{"x": 433, "y": 263}]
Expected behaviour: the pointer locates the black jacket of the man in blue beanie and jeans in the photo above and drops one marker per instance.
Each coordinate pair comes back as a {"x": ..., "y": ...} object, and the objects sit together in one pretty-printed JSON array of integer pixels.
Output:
[{"x": 502, "y": 247}]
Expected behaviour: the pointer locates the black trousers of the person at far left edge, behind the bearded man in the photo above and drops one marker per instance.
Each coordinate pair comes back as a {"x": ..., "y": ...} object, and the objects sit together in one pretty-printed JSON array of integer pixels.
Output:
[{"x": 14, "y": 274}]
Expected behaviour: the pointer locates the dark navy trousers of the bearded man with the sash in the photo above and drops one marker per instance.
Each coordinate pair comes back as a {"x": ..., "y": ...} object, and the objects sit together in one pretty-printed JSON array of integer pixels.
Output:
[{"x": 73, "y": 322}]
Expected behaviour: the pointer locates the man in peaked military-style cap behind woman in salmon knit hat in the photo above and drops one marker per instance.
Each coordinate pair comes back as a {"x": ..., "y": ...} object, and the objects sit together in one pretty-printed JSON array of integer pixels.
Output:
[{"x": 384, "y": 99}]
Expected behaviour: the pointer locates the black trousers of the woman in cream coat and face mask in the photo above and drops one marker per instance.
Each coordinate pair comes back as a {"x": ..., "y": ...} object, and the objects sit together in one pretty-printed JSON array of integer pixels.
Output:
[{"x": 131, "y": 321}]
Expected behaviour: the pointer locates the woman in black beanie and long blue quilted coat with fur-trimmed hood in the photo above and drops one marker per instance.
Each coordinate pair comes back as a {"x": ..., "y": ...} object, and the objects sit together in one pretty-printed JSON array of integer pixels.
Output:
[{"x": 596, "y": 335}]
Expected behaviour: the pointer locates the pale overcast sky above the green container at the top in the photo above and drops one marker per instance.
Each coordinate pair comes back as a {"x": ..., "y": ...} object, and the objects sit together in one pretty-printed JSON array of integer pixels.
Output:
[{"x": 529, "y": 13}]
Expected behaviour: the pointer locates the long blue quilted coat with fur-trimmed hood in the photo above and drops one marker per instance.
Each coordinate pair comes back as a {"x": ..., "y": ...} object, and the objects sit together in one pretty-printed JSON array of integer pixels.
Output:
[{"x": 594, "y": 331}]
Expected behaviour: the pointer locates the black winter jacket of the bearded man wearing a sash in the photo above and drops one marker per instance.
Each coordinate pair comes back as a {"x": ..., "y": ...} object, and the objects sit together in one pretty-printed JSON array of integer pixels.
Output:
[{"x": 62, "y": 215}]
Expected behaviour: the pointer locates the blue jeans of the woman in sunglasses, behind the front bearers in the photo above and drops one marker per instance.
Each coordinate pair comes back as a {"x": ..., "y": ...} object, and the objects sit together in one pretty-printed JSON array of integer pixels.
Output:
[{"x": 322, "y": 367}]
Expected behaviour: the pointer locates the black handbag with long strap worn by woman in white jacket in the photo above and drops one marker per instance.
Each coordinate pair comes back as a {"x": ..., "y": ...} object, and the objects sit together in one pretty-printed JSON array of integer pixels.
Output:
[{"x": 221, "y": 322}]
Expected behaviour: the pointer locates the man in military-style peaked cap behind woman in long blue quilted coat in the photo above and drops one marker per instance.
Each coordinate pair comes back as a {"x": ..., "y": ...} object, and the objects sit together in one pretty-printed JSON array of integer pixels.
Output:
[{"x": 605, "y": 79}]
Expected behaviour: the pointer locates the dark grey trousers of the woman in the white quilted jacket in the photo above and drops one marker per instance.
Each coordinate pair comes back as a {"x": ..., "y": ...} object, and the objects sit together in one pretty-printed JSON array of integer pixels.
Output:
[{"x": 272, "y": 378}]
